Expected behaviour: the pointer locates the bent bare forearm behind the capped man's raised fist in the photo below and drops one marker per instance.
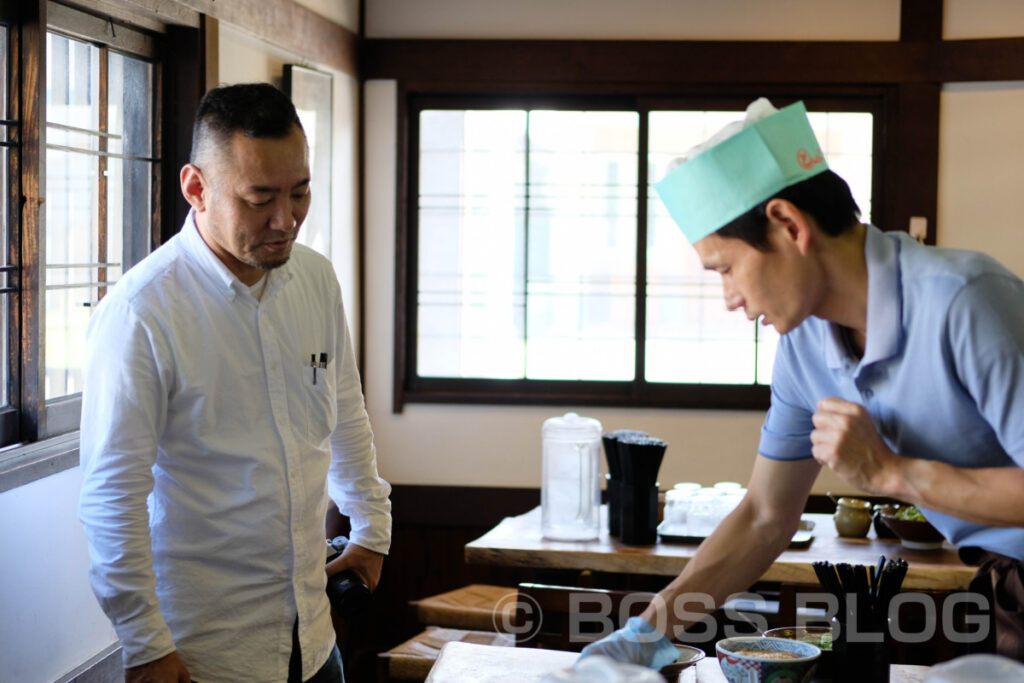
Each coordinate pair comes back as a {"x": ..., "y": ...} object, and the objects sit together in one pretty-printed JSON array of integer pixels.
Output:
[{"x": 993, "y": 496}]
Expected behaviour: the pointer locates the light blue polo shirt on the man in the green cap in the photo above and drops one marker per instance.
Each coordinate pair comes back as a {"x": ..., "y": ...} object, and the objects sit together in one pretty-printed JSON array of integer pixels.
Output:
[{"x": 943, "y": 374}]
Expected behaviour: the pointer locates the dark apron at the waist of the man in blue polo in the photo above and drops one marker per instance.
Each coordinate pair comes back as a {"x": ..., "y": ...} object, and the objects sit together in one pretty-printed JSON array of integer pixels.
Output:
[{"x": 1001, "y": 579}]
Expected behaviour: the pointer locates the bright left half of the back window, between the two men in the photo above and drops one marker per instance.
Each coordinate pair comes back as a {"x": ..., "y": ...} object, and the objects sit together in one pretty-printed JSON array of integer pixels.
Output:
[{"x": 527, "y": 269}]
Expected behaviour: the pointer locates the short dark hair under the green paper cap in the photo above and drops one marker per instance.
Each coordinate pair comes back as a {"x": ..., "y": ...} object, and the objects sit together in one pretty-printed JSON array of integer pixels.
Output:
[{"x": 826, "y": 197}]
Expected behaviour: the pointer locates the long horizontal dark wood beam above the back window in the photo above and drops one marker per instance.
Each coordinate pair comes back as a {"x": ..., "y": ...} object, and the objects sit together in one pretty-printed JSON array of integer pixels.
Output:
[{"x": 642, "y": 63}]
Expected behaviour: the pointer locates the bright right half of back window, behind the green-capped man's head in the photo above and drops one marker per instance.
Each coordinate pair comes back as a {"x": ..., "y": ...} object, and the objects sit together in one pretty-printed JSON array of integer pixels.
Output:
[{"x": 691, "y": 336}]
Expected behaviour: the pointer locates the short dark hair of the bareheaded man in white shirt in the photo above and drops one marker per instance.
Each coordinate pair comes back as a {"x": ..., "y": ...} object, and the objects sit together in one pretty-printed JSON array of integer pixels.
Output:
[{"x": 257, "y": 110}]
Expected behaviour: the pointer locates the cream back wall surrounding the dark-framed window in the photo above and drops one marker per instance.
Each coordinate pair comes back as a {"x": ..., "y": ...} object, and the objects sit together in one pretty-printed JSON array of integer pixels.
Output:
[{"x": 501, "y": 446}]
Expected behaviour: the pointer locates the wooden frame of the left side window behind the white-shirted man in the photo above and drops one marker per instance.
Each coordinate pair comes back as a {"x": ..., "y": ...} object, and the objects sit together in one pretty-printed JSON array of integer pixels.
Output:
[{"x": 42, "y": 436}]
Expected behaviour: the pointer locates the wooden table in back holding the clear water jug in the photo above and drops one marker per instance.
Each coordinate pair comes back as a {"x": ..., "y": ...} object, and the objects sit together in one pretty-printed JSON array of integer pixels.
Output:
[{"x": 518, "y": 542}]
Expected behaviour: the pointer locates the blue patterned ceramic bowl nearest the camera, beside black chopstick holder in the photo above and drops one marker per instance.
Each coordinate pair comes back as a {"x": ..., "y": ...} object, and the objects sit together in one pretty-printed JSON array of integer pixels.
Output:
[{"x": 758, "y": 660}]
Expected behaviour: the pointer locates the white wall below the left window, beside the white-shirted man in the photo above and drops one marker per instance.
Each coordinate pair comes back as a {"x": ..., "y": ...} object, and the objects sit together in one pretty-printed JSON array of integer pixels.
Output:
[{"x": 50, "y": 620}]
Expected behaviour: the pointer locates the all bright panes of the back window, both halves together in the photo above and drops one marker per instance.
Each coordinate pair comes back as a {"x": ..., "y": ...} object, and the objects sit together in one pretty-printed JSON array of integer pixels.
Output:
[{"x": 527, "y": 249}]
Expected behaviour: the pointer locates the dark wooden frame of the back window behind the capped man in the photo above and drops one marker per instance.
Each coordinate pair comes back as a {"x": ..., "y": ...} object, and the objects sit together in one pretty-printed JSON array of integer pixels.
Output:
[{"x": 638, "y": 392}]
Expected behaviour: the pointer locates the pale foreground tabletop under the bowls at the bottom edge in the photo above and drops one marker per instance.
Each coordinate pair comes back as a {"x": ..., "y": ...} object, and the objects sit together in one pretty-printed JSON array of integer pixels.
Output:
[{"x": 470, "y": 662}]
